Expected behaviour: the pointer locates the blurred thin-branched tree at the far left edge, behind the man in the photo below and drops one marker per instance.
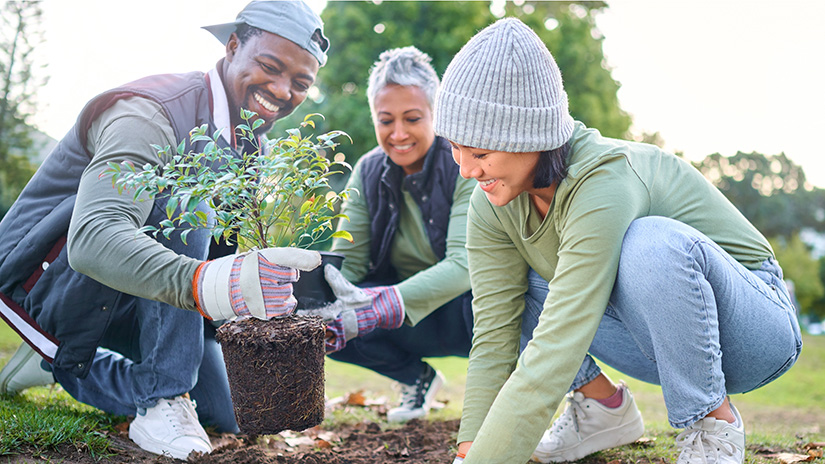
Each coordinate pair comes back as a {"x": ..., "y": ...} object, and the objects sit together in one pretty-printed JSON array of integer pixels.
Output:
[{"x": 20, "y": 32}]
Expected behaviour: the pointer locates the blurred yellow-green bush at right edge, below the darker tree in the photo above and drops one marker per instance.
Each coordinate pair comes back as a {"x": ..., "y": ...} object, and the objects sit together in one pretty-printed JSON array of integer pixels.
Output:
[{"x": 800, "y": 268}]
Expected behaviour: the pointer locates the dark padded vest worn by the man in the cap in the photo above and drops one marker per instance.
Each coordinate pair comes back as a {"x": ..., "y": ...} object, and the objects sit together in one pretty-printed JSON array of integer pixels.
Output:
[{"x": 47, "y": 297}]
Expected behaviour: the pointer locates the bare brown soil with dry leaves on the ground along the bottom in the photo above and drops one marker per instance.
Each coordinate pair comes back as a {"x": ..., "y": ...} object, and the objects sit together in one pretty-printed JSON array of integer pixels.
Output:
[{"x": 417, "y": 442}]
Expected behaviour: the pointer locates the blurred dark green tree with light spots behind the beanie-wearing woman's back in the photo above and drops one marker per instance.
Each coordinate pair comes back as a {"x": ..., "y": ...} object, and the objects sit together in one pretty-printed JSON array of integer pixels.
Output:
[{"x": 771, "y": 191}]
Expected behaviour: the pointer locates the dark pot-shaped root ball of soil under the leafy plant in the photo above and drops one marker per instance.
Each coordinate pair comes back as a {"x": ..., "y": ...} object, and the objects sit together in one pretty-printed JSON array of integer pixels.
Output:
[{"x": 283, "y": 358}]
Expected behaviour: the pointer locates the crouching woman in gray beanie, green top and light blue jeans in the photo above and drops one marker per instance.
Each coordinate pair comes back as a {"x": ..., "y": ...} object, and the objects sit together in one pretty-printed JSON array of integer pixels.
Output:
[{"x": 639, "y": 260}]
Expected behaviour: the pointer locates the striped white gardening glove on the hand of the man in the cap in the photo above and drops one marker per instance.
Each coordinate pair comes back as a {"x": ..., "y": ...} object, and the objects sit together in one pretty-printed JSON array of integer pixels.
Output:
[{"x": 257, "y": 283}]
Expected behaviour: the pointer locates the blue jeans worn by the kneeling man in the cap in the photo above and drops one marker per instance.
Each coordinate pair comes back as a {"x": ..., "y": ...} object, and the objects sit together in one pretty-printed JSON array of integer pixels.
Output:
[{"x": 152, "y": 351}]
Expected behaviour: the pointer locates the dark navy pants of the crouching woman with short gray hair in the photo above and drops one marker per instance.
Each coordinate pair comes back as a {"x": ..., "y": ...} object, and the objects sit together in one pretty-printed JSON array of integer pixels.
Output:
[{"x": 397, "y": 353}]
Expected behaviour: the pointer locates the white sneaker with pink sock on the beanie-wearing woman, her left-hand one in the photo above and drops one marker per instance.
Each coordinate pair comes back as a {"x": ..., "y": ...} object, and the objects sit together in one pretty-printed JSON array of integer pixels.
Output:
[{"x": 587, "y": 426}]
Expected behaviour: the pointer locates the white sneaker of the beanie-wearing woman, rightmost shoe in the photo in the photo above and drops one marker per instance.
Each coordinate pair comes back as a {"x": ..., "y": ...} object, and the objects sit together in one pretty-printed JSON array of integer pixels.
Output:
[{"x": 713, "y": 441}]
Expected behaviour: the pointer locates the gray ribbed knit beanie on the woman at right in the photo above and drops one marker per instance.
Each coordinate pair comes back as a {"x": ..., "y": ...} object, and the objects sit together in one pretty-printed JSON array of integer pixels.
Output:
[{"x": 503, "y": 91}]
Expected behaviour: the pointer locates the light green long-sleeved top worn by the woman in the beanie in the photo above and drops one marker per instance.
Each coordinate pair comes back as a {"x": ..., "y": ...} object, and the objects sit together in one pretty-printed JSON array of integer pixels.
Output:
[{"x": 510, "y": 399}]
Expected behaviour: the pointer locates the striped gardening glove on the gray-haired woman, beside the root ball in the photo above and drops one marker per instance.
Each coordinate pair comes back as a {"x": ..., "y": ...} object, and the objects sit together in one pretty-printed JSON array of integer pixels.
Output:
[{"x": 357, "y": 311}]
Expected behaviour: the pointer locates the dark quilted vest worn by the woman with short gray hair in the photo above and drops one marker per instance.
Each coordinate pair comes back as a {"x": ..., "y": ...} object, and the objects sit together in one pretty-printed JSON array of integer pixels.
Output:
[{"x": 432, "y": 188}]
